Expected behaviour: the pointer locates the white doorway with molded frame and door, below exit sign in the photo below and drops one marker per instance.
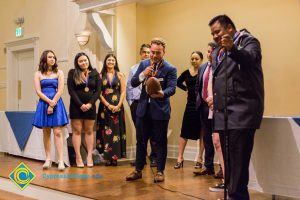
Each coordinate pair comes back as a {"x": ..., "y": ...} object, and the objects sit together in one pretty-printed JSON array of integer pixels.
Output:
[{"x": 22, "y": 62}]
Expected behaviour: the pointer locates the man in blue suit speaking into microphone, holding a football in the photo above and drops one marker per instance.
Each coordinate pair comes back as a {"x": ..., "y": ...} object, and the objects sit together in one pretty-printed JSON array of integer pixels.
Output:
[{"x": 153, "y": 112}]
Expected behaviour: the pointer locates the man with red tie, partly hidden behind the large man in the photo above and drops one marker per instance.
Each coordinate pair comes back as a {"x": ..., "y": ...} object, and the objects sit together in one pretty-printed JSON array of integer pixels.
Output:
[{"x": 203, "y": 96}]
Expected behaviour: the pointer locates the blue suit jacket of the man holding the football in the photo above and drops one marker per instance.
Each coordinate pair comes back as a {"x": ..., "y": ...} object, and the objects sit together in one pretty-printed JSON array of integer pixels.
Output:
[{"x": 159, "y": 108}]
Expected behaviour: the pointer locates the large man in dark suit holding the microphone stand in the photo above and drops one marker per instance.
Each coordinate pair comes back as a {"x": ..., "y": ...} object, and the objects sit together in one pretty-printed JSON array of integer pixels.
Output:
[{"x": 245, "y": 98}]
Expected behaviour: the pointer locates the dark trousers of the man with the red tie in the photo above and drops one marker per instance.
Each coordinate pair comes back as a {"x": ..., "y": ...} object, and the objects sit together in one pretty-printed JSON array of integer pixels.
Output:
[{"x": 206, "y": 126}]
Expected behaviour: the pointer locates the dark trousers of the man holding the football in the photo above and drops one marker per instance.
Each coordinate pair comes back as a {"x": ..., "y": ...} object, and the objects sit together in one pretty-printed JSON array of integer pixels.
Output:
[{"x": 146, "y": 128}]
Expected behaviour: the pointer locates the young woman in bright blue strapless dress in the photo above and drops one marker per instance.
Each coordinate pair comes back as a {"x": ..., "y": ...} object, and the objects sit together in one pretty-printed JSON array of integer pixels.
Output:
[{"x": 50, "y": 111}]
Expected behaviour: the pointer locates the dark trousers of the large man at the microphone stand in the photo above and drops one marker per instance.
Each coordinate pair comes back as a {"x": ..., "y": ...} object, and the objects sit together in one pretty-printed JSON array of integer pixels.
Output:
[{"x": 240, "y": 148}]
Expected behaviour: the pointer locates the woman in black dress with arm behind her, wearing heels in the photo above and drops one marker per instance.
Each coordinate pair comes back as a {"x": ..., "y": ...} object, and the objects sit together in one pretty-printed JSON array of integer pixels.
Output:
[{"x": 191, "y": 127}]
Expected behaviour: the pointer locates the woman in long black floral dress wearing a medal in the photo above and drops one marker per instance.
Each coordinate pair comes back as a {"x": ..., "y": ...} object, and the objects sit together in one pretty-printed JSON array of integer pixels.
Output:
[{"x": 111, "y": 137}]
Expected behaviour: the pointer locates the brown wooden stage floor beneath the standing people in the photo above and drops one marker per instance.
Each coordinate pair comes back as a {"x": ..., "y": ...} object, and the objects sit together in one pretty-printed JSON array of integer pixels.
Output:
[{"x": 180, "y": 184}]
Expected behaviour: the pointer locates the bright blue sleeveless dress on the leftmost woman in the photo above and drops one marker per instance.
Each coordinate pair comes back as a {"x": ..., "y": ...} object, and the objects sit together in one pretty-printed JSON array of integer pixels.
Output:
[{"x": 59, "y": 116}]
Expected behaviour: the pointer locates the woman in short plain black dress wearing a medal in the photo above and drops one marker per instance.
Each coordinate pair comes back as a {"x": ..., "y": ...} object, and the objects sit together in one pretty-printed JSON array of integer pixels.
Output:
[{"x": 84, "y": 87}]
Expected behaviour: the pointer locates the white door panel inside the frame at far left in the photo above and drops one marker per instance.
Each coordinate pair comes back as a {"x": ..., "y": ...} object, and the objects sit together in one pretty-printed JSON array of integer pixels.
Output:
[{"x": 26, "y": 92}]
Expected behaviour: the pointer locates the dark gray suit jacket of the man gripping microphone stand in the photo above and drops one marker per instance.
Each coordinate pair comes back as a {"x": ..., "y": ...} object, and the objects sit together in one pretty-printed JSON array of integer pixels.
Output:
[{"x": 245, "y": 84}]
